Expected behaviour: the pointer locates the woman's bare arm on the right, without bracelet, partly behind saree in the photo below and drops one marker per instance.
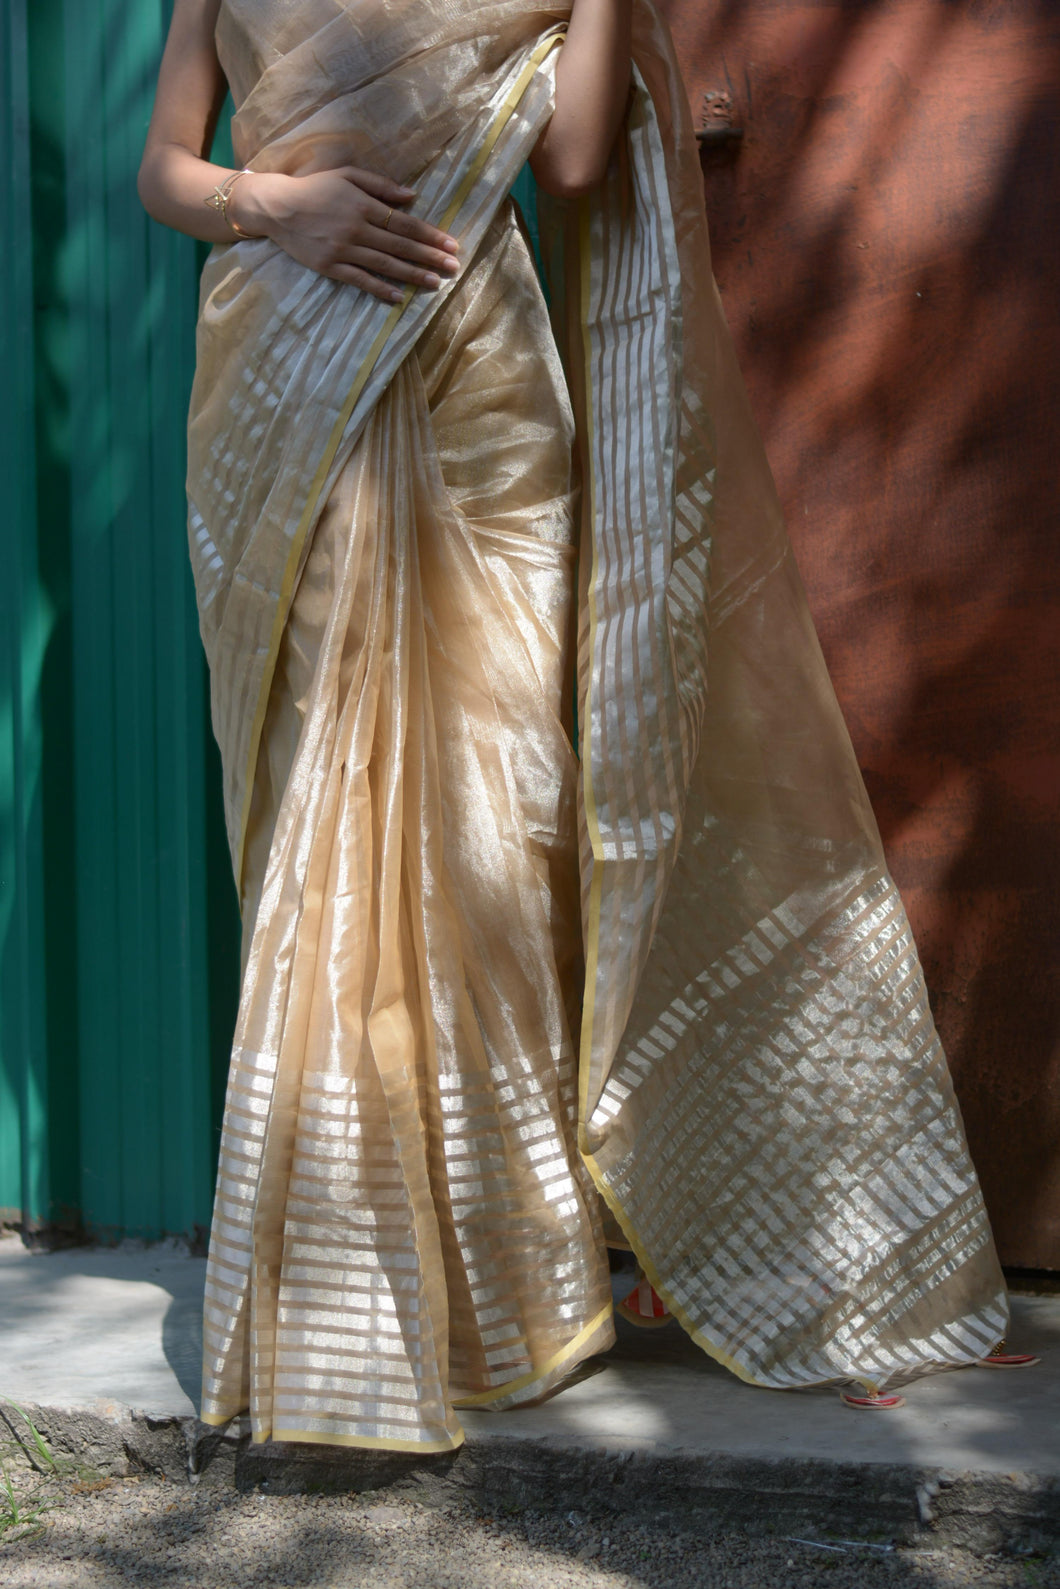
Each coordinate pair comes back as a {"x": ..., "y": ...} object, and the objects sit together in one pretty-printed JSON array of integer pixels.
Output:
[{"x": 592, "y": 98}]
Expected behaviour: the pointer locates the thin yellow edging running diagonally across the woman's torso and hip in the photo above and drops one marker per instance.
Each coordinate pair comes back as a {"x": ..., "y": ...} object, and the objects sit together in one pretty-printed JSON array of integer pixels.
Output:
[{"x": 371, "y": 360}]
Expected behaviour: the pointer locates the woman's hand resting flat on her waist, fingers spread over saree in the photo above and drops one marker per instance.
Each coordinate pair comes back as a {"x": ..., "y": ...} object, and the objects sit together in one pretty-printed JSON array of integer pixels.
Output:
[{"x": 347, "y": 225}]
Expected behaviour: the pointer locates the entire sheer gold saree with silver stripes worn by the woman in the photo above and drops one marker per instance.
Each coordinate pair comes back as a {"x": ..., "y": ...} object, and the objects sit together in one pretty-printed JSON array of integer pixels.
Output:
[{"x": 489, "y": 983}]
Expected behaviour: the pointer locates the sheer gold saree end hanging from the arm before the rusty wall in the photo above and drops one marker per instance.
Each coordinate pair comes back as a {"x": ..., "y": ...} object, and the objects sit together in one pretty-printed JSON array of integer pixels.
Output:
[{"x": 765, "y": 1102}]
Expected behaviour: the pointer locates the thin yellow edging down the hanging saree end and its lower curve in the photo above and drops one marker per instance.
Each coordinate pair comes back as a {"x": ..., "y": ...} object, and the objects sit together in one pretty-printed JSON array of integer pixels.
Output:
[{"x": 594, "y": 922}]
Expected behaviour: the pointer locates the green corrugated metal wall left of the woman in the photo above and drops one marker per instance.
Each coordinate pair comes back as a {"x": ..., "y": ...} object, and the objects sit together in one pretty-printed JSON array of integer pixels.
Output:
[{"x": 118, "y": 935}]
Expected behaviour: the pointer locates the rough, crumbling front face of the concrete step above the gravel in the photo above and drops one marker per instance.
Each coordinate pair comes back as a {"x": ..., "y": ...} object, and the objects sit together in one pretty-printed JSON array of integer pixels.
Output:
[{"x": 787, "y": 1496}]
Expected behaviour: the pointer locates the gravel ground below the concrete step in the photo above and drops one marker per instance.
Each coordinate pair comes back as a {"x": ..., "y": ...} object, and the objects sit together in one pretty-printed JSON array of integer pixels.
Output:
[{"x": 128, "y": 1533}]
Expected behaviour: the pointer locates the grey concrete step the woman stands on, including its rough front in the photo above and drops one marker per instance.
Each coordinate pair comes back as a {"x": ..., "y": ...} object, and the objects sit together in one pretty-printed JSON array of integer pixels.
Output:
[{"x": 104, "y": 1347}]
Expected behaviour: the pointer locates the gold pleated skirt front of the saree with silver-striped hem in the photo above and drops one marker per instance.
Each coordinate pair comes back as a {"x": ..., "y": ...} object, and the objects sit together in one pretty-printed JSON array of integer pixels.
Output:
[{"x": 406, "y": 1207}]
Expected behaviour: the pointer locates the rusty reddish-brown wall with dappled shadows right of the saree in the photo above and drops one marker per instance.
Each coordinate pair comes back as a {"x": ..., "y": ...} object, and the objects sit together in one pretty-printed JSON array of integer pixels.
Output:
[{"x": 888, "y": 242}]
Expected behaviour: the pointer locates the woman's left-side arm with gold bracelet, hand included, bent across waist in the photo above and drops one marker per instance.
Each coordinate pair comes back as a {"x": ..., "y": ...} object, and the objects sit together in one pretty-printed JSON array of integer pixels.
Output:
[{"x": 333, "y": 222}]
